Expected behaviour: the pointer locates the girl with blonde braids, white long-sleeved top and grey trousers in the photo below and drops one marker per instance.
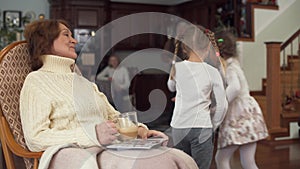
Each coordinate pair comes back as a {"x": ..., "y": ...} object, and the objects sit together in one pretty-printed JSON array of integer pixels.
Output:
[{"x": 195, "y": 82}]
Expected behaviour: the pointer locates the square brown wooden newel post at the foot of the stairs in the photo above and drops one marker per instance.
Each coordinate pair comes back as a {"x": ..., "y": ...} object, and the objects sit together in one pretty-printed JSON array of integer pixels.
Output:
[{"x": 273, "y": 90}]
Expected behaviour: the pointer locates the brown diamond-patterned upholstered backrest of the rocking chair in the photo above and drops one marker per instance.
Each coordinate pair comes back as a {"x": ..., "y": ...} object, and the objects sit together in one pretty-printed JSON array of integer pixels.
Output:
[{"x": 14, "y": 68}]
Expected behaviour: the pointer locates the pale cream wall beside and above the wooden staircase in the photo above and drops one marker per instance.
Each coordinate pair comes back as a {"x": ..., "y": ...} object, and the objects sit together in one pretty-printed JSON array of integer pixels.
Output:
[{"x": 270, "y": 25}]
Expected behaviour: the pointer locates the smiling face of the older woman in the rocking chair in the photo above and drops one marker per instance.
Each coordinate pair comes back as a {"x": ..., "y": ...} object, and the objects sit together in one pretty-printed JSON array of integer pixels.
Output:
[{"x": 64, "y": 44}]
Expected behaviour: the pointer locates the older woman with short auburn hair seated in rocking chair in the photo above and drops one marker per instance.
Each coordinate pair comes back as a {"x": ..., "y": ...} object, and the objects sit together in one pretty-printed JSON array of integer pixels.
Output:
[{"x": 65, "y": 115}]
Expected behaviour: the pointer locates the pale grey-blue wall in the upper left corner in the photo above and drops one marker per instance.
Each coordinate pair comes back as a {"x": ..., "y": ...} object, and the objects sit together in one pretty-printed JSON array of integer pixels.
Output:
[{"x": 37, "y": 6}]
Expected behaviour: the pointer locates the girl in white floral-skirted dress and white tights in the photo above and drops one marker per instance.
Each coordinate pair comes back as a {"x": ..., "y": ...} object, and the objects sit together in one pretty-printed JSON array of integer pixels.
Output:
[{"x": 244, "y": 124}]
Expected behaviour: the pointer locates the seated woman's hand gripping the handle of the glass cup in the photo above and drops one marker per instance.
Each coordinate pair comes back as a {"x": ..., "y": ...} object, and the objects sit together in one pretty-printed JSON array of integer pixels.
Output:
[{"x": 106, "y": 132}]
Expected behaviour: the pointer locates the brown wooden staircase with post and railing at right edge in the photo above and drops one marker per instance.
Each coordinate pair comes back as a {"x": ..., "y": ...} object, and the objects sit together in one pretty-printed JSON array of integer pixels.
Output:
[{"x": 280, "y": 95}]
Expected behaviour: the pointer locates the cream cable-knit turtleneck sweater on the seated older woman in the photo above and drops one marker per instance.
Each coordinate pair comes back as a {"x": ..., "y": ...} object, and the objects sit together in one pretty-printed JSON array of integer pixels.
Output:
[{"x": 59, "y": 107}]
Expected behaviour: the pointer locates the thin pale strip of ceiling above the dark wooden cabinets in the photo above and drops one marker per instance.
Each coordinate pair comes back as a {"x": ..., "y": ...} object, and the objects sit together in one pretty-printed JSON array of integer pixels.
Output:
[{"x": 157, "y": 2}]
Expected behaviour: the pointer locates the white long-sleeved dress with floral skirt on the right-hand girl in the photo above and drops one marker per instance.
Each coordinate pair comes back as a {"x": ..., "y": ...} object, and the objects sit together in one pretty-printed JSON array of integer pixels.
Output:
[{"x": 244, "y": 122}]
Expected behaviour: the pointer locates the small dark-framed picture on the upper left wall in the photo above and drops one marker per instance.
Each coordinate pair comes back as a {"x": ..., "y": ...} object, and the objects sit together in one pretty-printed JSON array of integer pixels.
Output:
[{"x": 12, "y": 19}]
